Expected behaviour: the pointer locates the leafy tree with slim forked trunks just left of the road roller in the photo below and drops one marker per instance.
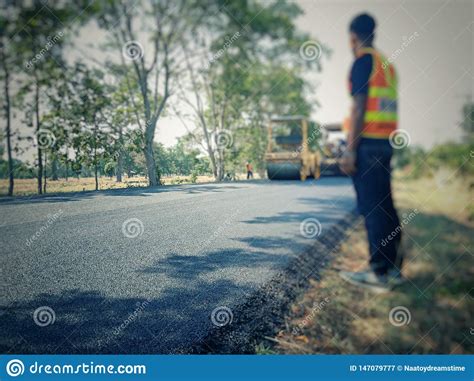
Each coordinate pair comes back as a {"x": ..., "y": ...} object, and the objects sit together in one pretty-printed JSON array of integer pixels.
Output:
[{"x": 246, "y": 54}]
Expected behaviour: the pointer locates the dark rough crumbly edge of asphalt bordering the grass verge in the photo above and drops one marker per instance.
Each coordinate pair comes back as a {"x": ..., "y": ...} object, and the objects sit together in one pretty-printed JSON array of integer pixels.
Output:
[{"x": 263, "y": 313}]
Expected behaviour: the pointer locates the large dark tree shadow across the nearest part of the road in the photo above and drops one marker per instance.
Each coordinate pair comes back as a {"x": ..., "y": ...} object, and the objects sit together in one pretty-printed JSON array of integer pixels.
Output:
[{"x": 89, "y": 322}]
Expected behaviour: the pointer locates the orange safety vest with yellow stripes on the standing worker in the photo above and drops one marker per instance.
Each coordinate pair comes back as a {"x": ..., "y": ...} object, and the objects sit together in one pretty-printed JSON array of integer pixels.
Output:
[{"x": 380, "y": 118}]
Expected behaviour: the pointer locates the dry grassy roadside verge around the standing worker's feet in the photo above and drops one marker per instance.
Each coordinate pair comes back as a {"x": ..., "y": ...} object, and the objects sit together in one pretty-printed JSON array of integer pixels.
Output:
[{"x": 438, "y": 294}]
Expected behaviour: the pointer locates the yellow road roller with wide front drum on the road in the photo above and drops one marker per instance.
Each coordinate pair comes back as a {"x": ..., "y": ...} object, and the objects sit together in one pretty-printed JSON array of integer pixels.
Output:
[{"x": 290, "y": 155}]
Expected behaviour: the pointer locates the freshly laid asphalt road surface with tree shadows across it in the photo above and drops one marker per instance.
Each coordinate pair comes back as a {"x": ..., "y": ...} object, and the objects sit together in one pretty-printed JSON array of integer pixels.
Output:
[{"x": 142, "y": 270}]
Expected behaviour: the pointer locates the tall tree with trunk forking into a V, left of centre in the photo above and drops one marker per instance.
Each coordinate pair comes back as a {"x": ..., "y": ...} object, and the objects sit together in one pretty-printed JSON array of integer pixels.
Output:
[{"x": 167, "y": 22}]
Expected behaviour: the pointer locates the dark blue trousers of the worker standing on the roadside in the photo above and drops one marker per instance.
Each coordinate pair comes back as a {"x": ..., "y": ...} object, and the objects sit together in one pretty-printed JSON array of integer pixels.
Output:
[{"x": 372, "y": 183}]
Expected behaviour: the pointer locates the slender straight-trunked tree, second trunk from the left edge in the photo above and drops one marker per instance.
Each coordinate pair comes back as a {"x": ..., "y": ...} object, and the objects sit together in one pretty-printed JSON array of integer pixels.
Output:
[{"x": 39, "y": 42}]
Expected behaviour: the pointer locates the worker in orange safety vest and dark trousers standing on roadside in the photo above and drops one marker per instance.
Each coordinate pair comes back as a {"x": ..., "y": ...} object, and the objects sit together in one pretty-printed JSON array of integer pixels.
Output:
[{"x": 373, "y": 87}]
